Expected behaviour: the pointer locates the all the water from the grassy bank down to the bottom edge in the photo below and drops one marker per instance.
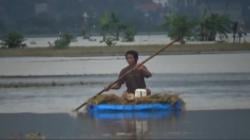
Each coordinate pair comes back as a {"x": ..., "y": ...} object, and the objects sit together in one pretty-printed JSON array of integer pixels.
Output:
[{"x": 215, "y": 88}]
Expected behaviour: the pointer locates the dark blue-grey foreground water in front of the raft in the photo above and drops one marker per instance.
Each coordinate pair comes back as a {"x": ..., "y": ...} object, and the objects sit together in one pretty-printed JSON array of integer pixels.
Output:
[{"x": 214, "y": 124}]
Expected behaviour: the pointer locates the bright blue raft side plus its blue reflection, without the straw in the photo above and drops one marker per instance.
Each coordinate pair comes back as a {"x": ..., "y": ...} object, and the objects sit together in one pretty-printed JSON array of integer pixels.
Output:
[{"x": 134, "y": 111}]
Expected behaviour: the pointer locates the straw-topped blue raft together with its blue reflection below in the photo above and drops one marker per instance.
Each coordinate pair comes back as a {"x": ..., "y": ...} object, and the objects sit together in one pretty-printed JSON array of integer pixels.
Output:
[{"x": 112, "y": 106}]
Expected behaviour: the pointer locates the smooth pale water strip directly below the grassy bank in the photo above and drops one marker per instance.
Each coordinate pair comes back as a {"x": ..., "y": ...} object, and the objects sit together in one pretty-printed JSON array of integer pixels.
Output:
[{"x": 205, "y": 63}]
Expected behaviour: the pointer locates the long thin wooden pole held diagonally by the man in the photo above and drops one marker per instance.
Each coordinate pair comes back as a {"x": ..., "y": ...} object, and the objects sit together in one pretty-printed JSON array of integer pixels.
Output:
[{"x": 126, "y": 73}]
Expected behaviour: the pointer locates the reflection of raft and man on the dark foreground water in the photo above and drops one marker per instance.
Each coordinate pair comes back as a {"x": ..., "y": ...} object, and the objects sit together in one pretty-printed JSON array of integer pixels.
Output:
[{"x": 129, "y": 125}]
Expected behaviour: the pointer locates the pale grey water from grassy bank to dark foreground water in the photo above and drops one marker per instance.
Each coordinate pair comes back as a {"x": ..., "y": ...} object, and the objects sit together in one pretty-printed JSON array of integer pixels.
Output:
[{"x": 208, "y": 81}]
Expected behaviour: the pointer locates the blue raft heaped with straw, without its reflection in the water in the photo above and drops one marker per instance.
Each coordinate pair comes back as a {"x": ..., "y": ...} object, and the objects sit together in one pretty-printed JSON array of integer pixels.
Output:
[{"x": 156, "y": 102}]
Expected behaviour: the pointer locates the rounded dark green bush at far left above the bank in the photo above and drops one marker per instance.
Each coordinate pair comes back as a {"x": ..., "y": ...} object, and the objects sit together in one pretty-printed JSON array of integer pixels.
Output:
[{"x": 13, "y": 40}]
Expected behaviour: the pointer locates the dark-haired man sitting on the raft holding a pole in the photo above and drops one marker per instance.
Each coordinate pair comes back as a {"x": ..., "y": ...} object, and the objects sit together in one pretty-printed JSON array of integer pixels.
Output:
[{"x": 135, "y": 79}]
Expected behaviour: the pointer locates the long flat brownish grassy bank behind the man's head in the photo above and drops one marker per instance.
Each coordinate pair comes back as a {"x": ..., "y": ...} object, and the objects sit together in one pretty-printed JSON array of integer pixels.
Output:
[{"x": 187, "y": 49}]
